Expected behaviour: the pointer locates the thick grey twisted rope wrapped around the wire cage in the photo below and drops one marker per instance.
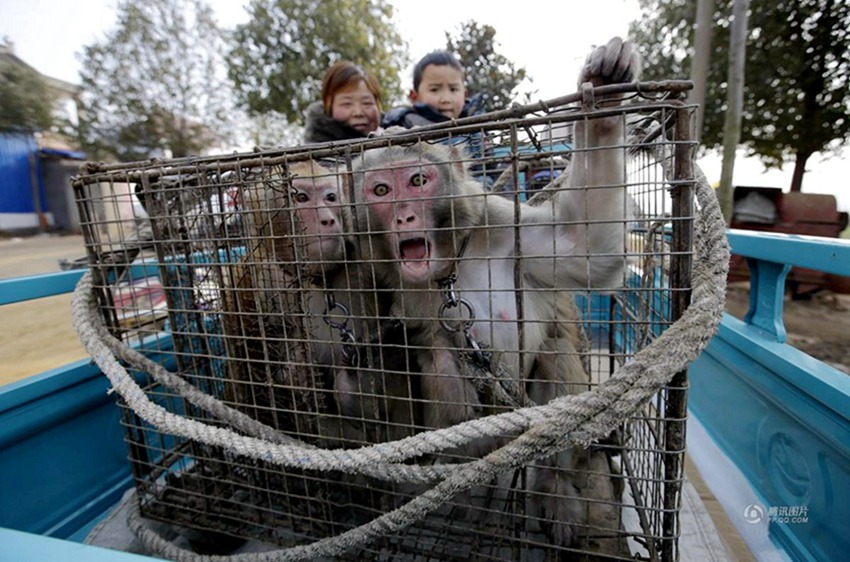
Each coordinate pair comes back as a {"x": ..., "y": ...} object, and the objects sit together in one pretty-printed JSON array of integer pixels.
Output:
[{"x": 542, "y": 430}]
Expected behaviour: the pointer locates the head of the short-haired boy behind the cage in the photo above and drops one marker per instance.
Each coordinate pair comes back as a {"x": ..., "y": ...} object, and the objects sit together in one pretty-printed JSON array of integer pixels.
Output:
[{"x": 438, "y": 82}]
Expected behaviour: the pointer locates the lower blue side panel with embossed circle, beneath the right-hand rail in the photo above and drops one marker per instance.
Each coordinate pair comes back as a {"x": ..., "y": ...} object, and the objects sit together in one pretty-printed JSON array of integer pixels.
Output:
[{"x": 784, "y": 422}]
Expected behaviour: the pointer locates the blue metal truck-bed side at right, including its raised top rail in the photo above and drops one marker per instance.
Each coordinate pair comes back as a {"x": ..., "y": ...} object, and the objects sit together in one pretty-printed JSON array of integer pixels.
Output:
[{"x": 782, "y": 416}]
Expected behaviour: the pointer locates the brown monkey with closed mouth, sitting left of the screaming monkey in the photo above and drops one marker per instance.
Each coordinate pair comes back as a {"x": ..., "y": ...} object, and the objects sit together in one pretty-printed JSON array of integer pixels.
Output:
[{"x": 304, "y": 305}]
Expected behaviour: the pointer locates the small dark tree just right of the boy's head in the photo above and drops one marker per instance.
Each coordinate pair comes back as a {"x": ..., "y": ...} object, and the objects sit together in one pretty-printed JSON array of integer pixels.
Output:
[{"x": 487, "y": 72}]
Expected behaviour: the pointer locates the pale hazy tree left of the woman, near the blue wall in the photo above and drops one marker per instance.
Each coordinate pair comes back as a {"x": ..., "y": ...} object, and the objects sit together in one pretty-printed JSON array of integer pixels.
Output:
[{"x": 156, "y": 84}]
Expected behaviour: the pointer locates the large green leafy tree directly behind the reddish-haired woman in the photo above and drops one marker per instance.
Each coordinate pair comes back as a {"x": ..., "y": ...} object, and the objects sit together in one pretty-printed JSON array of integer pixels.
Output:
[{"x": 281, "y": 54}]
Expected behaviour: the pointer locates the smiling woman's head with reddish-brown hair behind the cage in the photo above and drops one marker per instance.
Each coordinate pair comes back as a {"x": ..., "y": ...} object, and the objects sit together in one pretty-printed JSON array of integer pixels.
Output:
[{"x": 352, "y": 95}]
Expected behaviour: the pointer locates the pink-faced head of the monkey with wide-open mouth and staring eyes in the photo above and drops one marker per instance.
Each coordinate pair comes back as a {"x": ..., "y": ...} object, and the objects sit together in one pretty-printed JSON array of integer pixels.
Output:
[{"x": 416, "y": 204}]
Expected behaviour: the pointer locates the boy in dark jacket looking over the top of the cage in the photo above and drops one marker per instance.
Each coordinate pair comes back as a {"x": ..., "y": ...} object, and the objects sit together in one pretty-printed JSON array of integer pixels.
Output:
[{"x": 438, "y": 94}]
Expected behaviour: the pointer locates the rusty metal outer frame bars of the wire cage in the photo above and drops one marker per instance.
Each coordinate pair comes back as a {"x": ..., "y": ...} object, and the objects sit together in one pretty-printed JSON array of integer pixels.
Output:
[{"x": 665, "y": 545}]
